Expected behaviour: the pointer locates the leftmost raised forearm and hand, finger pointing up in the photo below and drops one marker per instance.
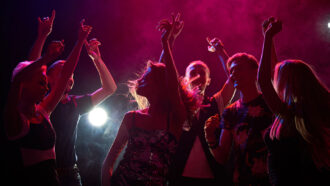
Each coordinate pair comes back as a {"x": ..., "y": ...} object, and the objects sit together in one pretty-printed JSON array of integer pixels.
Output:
[{"x": 45, "y": 27}]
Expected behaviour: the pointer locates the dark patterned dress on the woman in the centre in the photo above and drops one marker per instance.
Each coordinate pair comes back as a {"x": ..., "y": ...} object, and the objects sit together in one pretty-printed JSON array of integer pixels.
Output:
[{"x": 148, "y": 156}]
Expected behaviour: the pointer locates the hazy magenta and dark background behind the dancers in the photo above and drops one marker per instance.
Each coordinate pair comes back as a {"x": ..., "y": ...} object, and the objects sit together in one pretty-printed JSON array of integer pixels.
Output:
[{"x": 127, "y": 31}]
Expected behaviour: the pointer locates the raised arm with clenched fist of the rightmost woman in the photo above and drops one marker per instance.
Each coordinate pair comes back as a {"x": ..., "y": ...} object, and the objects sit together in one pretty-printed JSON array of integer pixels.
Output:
[{"x": 264, "y": 72}]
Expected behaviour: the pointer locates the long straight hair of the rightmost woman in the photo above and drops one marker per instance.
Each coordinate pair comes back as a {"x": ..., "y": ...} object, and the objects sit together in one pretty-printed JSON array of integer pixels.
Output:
[{"x": 300, "y": 88}]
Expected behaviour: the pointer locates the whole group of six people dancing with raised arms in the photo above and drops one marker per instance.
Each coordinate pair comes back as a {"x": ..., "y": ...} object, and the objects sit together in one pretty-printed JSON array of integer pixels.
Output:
[{"x": 275, "y": 131}]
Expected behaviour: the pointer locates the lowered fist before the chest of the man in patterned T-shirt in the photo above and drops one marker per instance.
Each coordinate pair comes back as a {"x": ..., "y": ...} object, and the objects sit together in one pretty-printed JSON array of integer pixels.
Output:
[{"x": 212, "y": 126}]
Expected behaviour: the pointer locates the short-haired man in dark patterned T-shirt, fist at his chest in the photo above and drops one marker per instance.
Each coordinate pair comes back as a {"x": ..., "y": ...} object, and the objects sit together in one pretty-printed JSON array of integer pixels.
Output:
[{"x": 243, "y": 125}]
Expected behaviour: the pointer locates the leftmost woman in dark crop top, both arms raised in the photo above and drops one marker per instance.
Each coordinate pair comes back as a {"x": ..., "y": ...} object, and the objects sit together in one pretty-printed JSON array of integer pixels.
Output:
[{"x": 27, "y": 124}]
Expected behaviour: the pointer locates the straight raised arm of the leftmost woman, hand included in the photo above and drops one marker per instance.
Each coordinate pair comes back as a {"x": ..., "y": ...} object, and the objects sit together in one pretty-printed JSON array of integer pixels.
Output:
[{"x": 55, "y": 95}]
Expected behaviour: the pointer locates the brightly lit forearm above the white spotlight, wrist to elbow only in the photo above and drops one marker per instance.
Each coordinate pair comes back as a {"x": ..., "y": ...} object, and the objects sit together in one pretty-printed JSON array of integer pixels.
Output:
[{"x": 107, "y": 81}]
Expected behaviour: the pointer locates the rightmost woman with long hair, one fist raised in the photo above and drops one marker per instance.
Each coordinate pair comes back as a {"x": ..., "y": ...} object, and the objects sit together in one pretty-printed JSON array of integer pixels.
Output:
[{"x": 298, "y": 140}]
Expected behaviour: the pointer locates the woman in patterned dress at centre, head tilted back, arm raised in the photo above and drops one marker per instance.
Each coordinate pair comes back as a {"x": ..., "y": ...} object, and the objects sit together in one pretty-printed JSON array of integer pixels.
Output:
[{"x": 151, "y": 134}]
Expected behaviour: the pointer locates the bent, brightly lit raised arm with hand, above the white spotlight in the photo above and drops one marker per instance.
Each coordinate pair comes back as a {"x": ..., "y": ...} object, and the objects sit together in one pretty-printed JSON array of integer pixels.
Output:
[{"x": 108, "y": 84}]
